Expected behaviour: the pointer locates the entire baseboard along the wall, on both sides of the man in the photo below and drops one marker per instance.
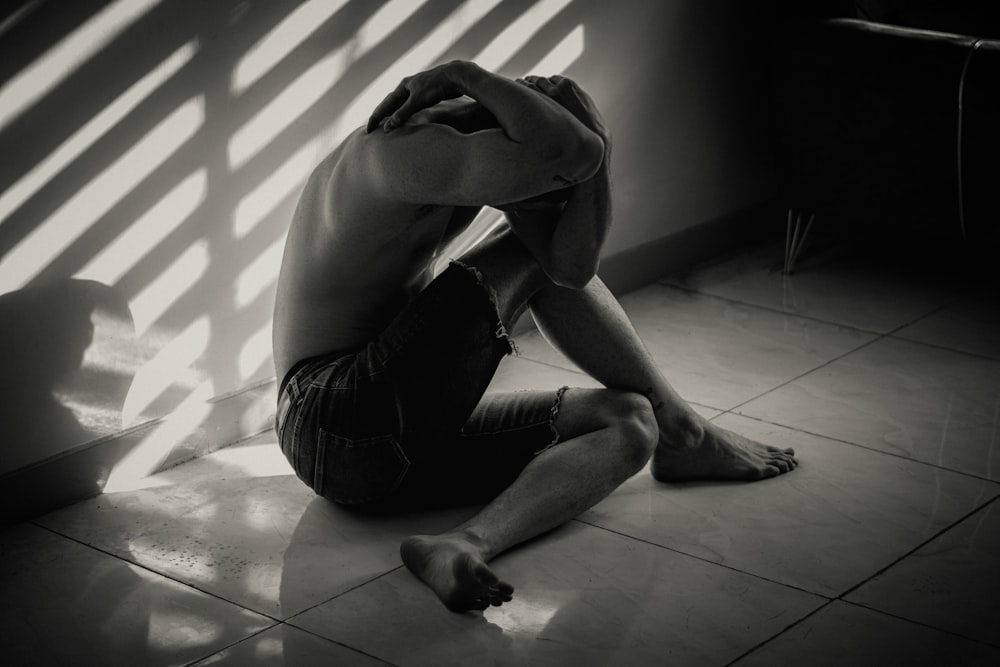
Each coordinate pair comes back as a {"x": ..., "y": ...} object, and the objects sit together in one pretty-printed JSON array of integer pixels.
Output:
[{"x": 83, "y": 472}]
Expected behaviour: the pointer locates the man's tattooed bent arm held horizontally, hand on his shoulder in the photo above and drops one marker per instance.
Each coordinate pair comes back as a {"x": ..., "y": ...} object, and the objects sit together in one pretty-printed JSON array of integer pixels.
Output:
[{"x": 539, "y": 146}]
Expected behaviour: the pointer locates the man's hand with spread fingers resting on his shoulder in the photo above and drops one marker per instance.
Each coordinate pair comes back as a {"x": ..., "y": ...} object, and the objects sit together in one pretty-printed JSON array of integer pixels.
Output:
[{"x": 419, "y": 91}]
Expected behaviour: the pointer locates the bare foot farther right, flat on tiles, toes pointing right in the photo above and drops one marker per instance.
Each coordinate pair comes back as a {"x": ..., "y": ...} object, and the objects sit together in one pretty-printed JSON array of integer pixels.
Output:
[{"x": 711, "y": 452}]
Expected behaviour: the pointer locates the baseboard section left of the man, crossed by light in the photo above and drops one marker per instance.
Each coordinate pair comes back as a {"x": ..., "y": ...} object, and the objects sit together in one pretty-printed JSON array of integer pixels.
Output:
[{"x": 83, "y": 472}]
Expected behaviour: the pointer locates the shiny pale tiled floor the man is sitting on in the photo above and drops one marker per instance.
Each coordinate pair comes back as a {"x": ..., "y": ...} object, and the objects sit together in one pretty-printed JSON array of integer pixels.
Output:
[{"x": 881, "y": 548}]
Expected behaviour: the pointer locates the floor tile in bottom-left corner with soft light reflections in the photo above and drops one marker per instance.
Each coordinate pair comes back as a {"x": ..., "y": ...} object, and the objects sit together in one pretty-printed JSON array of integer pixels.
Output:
[{"x": 68, "y": 604}]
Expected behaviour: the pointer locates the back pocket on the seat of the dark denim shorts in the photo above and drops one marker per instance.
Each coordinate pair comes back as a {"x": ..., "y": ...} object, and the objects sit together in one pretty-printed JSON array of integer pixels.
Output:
[{"x": 355, "y": 471}]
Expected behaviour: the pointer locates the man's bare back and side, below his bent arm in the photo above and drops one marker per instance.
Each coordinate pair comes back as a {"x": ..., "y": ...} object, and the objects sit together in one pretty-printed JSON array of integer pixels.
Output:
[{"x": 351, "y": 261}]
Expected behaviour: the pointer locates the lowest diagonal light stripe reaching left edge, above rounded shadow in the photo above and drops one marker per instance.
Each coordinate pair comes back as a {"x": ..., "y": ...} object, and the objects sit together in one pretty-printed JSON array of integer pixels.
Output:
[{"x": 88, "y": 205}]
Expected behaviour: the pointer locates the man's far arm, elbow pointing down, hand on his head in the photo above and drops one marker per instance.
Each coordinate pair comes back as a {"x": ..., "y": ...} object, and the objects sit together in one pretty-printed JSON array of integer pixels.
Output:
[{"x": 567, "y": 240}]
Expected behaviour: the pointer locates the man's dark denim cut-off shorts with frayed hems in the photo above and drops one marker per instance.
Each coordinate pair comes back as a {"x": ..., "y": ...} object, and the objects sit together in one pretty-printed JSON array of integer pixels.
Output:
[{"x": 403, "y": 422}]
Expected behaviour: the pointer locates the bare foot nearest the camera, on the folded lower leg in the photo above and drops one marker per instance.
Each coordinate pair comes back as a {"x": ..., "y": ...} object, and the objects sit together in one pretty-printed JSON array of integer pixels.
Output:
[{"x": 453, "y": 567}]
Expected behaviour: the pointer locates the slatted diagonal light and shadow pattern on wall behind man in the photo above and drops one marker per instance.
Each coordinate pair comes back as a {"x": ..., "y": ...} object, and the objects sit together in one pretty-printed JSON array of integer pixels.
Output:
[{"x": 159, "y": 147}]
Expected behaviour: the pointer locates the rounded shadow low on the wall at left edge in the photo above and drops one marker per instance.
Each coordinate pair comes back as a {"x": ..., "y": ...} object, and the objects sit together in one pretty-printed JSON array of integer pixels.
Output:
[{"x": 49, "y": 332}]
